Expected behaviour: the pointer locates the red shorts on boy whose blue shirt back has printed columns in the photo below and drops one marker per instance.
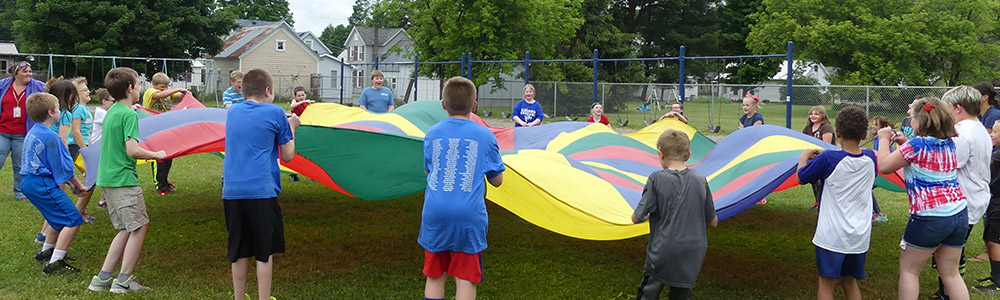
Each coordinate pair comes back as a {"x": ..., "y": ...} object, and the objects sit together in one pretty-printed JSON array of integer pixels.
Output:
[{"x": 461, "y": 265}]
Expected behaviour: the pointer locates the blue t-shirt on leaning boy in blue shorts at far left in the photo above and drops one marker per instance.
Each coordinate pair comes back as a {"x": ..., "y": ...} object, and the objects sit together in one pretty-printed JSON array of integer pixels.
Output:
[{"x": 44, "y": 154}]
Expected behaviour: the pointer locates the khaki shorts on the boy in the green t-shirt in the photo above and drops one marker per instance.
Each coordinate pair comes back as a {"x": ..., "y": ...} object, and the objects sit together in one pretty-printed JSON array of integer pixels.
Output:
[{"x": 126, "y": 207}]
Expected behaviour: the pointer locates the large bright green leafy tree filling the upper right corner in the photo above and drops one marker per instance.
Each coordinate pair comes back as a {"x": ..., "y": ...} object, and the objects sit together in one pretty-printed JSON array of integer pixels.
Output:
[{"x": 887, "y": 42}]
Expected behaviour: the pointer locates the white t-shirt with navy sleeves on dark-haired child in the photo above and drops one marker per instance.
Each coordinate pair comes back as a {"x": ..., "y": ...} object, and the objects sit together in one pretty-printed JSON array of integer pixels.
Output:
[{"x": 845, "y": 204}]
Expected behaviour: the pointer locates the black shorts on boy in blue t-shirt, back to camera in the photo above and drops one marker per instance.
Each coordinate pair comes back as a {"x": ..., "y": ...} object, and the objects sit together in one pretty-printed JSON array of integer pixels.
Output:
[{"x": 255, "y": 228}]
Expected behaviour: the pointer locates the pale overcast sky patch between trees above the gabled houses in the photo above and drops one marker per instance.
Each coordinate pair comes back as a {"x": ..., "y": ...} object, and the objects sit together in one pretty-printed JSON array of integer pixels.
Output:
[{"x": 314, "y": 15}]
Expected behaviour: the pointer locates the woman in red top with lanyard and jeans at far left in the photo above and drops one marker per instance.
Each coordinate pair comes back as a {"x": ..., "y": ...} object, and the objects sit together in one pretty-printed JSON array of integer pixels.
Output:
[{"x": 14, "y": 120}]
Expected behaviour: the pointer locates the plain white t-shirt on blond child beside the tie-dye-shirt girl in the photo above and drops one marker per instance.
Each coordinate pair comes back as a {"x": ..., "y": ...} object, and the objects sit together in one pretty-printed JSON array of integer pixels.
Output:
[{"x": 972, "y": 149}]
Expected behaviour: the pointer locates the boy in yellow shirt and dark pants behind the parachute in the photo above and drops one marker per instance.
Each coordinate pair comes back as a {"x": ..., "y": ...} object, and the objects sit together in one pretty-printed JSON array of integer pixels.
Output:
[{"x": 158, "y": 98}]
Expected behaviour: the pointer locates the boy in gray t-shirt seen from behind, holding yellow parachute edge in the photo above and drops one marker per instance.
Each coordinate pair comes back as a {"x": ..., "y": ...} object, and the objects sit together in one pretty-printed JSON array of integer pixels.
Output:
[{"x": 678, "y": 204}]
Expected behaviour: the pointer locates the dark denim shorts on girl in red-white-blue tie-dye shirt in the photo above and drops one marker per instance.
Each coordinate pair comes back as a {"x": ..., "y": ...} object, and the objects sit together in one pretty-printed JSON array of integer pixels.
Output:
[{"x": 930, "y": 232}]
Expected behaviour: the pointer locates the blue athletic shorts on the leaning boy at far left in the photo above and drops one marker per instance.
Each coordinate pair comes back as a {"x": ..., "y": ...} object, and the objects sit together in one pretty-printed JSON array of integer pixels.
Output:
[{"x": 51, "y": 201}]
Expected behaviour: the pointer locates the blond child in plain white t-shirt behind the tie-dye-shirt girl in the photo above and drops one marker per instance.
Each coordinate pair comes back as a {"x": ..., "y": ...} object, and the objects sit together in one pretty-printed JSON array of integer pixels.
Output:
[{"x": 972, "y": 149}]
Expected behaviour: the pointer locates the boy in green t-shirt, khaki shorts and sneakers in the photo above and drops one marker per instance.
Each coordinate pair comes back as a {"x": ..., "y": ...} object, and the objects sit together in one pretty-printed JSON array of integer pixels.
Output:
[{"x": 119, "y": 180}]
